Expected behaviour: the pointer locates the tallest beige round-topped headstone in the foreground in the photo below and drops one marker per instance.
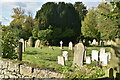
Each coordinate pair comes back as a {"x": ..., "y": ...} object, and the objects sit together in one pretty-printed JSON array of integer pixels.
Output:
[{"x": 78, "y": 54}]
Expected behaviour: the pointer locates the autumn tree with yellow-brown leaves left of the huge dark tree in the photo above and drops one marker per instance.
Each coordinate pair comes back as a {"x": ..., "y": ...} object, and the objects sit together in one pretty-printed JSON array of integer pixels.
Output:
[{"x": 22, "y": 24}]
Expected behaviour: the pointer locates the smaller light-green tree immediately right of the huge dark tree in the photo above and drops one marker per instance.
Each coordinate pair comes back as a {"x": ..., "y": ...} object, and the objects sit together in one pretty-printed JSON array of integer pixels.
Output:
[{"x": 89, "y": 25}]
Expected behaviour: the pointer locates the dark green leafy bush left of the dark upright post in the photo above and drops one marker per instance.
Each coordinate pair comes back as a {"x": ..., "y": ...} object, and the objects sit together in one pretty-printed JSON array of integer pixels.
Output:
[{"x": 9, "y": 42}]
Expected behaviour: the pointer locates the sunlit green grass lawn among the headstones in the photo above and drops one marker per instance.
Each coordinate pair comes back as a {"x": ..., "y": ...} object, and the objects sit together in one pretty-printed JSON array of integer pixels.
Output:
[{"x": 47, "y": 57}]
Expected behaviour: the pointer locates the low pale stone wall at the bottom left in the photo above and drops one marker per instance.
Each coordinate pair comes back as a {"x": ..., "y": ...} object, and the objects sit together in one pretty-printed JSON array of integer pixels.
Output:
[{"x": 17, "y": 69}]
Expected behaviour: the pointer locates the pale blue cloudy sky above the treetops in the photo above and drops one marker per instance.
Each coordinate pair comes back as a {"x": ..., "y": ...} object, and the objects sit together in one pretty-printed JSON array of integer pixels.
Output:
[{"x": 6, "y": 6}]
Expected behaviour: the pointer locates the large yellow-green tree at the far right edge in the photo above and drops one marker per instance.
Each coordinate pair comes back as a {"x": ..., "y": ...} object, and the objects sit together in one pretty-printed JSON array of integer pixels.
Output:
[{"x": 108, "y": 24}]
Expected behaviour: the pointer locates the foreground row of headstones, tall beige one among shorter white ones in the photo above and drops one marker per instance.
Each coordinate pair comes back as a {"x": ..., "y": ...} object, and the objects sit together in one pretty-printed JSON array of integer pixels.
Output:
[{"x": 80, "y": 54}]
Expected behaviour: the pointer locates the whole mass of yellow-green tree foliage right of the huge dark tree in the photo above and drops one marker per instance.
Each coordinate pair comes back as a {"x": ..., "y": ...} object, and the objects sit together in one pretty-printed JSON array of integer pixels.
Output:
[{"x": 105, "y": 20}]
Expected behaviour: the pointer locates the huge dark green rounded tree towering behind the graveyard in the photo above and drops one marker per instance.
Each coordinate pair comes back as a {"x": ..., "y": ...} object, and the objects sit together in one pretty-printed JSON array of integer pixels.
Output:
[{"x": 64, "y": 21}]
